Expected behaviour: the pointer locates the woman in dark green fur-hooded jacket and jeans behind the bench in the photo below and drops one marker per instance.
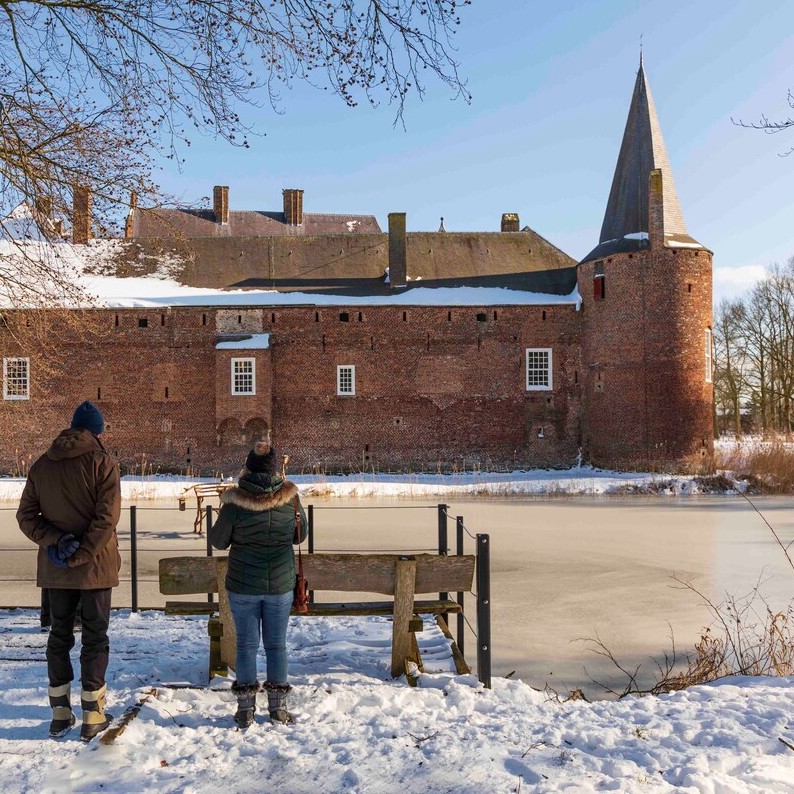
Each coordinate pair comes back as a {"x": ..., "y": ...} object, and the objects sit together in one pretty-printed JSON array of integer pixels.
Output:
[{"x": 257, "y": 523}]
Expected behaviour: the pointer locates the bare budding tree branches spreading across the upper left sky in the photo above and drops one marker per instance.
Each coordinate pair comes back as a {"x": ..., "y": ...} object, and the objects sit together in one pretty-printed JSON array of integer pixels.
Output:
[{"x": 94, "y": 91}]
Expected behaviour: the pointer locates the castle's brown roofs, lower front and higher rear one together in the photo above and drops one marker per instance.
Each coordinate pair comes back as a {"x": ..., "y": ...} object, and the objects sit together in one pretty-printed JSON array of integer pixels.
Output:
[{"x": 332, "y": 253}]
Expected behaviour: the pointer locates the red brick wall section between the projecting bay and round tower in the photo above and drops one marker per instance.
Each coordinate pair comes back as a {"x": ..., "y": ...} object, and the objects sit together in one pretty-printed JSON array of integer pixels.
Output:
[{"x": 434, "y": 387}]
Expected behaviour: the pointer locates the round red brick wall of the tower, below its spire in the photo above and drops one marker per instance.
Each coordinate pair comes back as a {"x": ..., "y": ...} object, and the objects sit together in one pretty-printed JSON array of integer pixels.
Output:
[{"x": 646, "y": 400}]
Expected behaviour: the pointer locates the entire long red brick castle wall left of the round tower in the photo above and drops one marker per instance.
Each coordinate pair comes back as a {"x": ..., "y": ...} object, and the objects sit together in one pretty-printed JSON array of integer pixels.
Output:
[{"x": 435, "y": 387}]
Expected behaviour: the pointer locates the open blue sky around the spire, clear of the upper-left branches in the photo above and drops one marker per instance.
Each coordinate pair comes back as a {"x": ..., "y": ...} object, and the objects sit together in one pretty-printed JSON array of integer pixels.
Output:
[{"x": 550, "y": 84}]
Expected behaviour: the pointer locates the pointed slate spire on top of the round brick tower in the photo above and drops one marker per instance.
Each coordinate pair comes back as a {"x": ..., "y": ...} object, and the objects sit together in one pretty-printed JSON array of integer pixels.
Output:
[{"x": 641, "y": 151}]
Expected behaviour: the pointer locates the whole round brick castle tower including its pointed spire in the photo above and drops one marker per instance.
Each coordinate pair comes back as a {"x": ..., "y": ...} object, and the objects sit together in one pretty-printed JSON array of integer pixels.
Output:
[{"x": 646, "y": 324}]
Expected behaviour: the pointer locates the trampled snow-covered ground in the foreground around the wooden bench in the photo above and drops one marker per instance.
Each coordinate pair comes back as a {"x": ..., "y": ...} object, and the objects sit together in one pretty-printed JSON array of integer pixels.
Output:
[{"x": 359, "y": 731}]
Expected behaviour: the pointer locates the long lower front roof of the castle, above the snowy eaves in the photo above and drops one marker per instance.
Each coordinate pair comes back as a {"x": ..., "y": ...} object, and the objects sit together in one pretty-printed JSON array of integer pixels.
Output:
[{"x": 355, "y": 263}]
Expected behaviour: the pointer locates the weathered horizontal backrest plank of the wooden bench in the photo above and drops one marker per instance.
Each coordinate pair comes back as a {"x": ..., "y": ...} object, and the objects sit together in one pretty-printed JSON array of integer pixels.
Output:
[{"x": 365, "y": 573}]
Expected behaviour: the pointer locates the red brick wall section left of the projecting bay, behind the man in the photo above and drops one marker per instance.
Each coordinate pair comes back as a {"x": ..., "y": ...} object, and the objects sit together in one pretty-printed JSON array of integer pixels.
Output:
[{"x": 151, "y": 372}]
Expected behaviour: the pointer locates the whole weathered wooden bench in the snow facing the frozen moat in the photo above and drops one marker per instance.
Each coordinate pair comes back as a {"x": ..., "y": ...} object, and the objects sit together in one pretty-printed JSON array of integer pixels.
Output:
[{"x": 401, "y": 577}]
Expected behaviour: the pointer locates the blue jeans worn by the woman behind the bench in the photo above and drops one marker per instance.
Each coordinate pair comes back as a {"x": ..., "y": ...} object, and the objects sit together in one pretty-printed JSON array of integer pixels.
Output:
[{"x": 270, "y": 613}]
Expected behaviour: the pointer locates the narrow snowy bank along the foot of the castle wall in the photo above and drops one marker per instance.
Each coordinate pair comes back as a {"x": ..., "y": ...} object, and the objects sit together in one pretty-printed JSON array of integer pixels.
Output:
[{"x": 577, "y": 481}]
